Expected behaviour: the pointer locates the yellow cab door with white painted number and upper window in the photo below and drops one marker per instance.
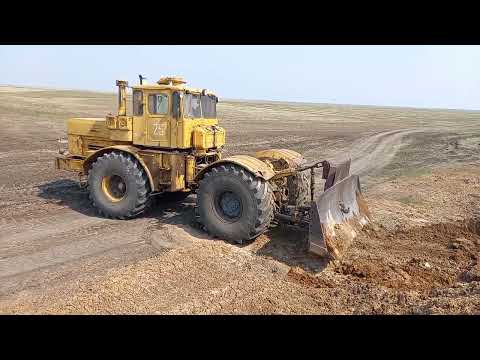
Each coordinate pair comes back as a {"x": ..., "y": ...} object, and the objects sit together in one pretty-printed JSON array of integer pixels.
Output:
[{"x": 158, "y": 118}]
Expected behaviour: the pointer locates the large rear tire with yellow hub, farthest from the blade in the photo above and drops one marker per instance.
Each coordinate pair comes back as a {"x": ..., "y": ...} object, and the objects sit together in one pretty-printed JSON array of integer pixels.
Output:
[{"x": 118, "y": 186}]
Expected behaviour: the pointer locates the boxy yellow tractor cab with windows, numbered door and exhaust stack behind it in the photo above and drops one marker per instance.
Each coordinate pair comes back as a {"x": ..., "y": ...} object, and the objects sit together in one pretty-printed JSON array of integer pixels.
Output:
[{"x": 168, "y": 114}]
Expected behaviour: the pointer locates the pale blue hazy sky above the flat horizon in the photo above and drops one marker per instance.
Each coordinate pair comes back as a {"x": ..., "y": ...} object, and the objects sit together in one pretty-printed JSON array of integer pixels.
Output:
[{"x": 416, "y": 76}]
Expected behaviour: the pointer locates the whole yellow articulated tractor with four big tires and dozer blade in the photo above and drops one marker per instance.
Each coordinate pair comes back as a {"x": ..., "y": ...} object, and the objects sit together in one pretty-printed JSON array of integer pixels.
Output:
[{"x": 171, "y": 143}]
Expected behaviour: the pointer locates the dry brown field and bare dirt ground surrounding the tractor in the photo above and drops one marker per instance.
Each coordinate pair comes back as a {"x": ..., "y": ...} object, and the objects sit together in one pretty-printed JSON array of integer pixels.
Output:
[{"x": 419, "y": 170}]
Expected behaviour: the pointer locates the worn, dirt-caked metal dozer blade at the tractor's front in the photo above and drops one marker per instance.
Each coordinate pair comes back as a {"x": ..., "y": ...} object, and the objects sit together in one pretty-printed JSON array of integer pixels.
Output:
[{"x": 336, "y": 217}]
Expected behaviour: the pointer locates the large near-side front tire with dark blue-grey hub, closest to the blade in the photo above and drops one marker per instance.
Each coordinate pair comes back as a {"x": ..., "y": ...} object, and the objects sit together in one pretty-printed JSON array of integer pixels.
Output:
[{"x": 234, "y": 205}]
